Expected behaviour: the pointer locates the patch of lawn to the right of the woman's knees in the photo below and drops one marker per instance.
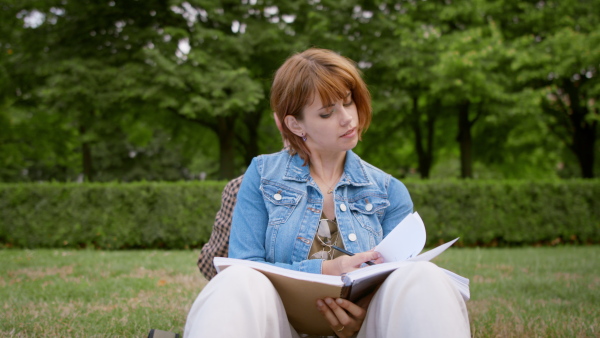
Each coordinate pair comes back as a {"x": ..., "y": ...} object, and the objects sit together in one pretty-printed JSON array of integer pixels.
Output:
[{"x": 531, "y": 292}]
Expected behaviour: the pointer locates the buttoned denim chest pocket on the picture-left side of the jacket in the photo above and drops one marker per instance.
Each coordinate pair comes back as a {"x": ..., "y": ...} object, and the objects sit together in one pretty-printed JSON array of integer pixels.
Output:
[{"x": 280, "y": 201}]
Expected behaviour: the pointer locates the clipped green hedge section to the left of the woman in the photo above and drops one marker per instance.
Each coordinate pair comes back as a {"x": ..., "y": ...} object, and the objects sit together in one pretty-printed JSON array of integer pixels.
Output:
[{"x": 111, "y": 216}]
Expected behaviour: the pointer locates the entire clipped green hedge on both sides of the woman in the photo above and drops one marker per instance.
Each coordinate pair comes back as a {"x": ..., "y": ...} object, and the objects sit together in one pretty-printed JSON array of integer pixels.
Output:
[{"x": 180, "y": 215}]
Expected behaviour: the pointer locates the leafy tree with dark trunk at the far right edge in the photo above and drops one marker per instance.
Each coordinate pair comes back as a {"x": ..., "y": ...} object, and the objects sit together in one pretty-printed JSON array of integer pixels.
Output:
[{"x": 559, "y": 59}]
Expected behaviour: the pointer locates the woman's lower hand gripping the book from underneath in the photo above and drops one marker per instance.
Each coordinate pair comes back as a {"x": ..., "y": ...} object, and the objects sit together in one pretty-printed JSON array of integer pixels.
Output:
[{"x": 344, "y": 317}]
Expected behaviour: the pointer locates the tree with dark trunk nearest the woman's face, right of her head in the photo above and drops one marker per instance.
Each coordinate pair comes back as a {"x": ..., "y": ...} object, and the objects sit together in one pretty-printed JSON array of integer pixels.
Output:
[{"x": 408, "y": 40}]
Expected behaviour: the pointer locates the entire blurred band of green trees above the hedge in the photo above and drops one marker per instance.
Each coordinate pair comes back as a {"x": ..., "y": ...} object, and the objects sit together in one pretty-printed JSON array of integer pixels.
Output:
[{"x": 159, "y": 90}]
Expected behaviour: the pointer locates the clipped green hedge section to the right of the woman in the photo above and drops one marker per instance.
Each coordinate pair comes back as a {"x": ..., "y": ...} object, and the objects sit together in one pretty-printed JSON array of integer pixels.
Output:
[{"x": 509, "y": 212}]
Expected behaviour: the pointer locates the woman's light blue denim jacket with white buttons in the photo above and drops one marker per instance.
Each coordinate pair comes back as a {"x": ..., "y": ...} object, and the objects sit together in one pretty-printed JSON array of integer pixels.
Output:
[{"x": 279, "y": 206}]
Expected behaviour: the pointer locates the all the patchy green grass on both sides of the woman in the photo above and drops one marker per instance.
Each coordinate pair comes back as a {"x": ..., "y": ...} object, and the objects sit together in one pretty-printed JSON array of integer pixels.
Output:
[{"x": 516, "y": 292}]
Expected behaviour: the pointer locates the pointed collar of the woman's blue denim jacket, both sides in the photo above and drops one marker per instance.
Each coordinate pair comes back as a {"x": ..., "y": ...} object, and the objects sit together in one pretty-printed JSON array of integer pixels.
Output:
[{"x": 354, "y": 170}]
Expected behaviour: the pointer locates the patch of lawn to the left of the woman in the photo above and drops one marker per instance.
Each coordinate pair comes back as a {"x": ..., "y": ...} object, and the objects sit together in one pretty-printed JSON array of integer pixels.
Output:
[{"x": 95, "y": 293}]
